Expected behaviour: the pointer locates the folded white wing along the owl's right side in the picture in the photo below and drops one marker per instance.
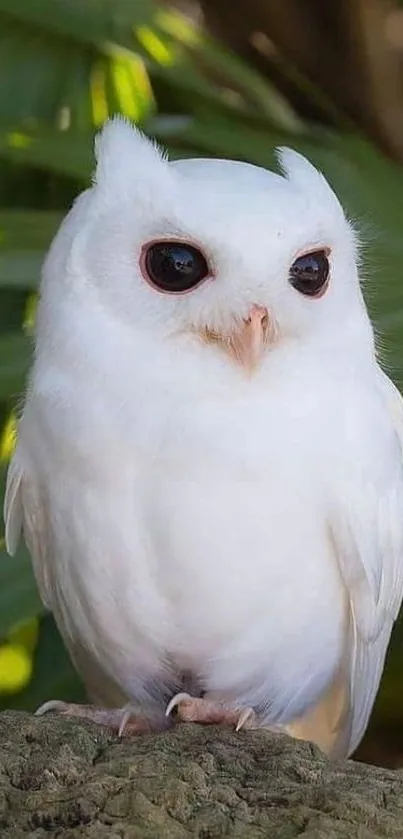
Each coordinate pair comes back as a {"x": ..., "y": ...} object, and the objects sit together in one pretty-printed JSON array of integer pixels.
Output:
[{"x": 367, "y": 534}]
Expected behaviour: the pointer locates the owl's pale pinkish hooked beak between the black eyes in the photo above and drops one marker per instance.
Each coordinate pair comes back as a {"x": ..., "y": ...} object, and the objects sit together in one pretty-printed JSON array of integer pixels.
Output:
[{"x": 247, "y": 343}]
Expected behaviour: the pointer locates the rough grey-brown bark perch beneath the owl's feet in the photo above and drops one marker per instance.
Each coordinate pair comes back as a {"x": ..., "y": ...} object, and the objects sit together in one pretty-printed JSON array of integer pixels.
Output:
[{"x": 64, "y": 779}]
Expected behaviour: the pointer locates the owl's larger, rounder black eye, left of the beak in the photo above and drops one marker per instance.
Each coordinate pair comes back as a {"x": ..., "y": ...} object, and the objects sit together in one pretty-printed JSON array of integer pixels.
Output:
[{"x": 174, "y": 267}]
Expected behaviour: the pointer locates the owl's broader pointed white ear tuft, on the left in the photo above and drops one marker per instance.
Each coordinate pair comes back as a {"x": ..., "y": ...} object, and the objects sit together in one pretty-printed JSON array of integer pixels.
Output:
[{"x": 121, "y": 149}]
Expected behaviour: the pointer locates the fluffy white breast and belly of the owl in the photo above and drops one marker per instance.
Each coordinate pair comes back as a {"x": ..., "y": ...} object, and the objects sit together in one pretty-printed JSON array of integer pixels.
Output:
[{"x": 200, "y": 547}]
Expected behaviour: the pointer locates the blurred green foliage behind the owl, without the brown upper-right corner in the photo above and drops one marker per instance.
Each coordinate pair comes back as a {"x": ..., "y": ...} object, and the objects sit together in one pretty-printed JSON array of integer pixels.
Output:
[{"x": 65, "y": 67}]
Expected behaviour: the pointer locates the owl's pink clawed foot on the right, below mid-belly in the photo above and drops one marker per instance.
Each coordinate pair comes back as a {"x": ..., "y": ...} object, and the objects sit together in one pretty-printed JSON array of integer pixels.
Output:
[{"x": 208, "y": 712}]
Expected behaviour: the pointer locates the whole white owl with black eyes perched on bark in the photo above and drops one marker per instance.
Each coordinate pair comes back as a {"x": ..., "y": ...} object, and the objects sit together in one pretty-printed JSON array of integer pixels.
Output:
[{"x": 209, "y": 465}]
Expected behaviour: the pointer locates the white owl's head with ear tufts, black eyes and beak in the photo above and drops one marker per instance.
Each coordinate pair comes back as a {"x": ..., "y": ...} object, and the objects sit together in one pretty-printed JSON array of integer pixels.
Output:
[{"x": 236, "y": 256}]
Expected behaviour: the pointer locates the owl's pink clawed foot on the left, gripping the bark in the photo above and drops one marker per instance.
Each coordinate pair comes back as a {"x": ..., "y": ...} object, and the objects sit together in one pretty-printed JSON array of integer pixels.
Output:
[{"x": 118, "y": 719}]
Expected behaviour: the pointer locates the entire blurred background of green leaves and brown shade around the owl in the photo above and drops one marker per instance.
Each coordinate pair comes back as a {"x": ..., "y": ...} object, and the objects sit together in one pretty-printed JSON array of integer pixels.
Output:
[{"x": 325, "y": 78}]
